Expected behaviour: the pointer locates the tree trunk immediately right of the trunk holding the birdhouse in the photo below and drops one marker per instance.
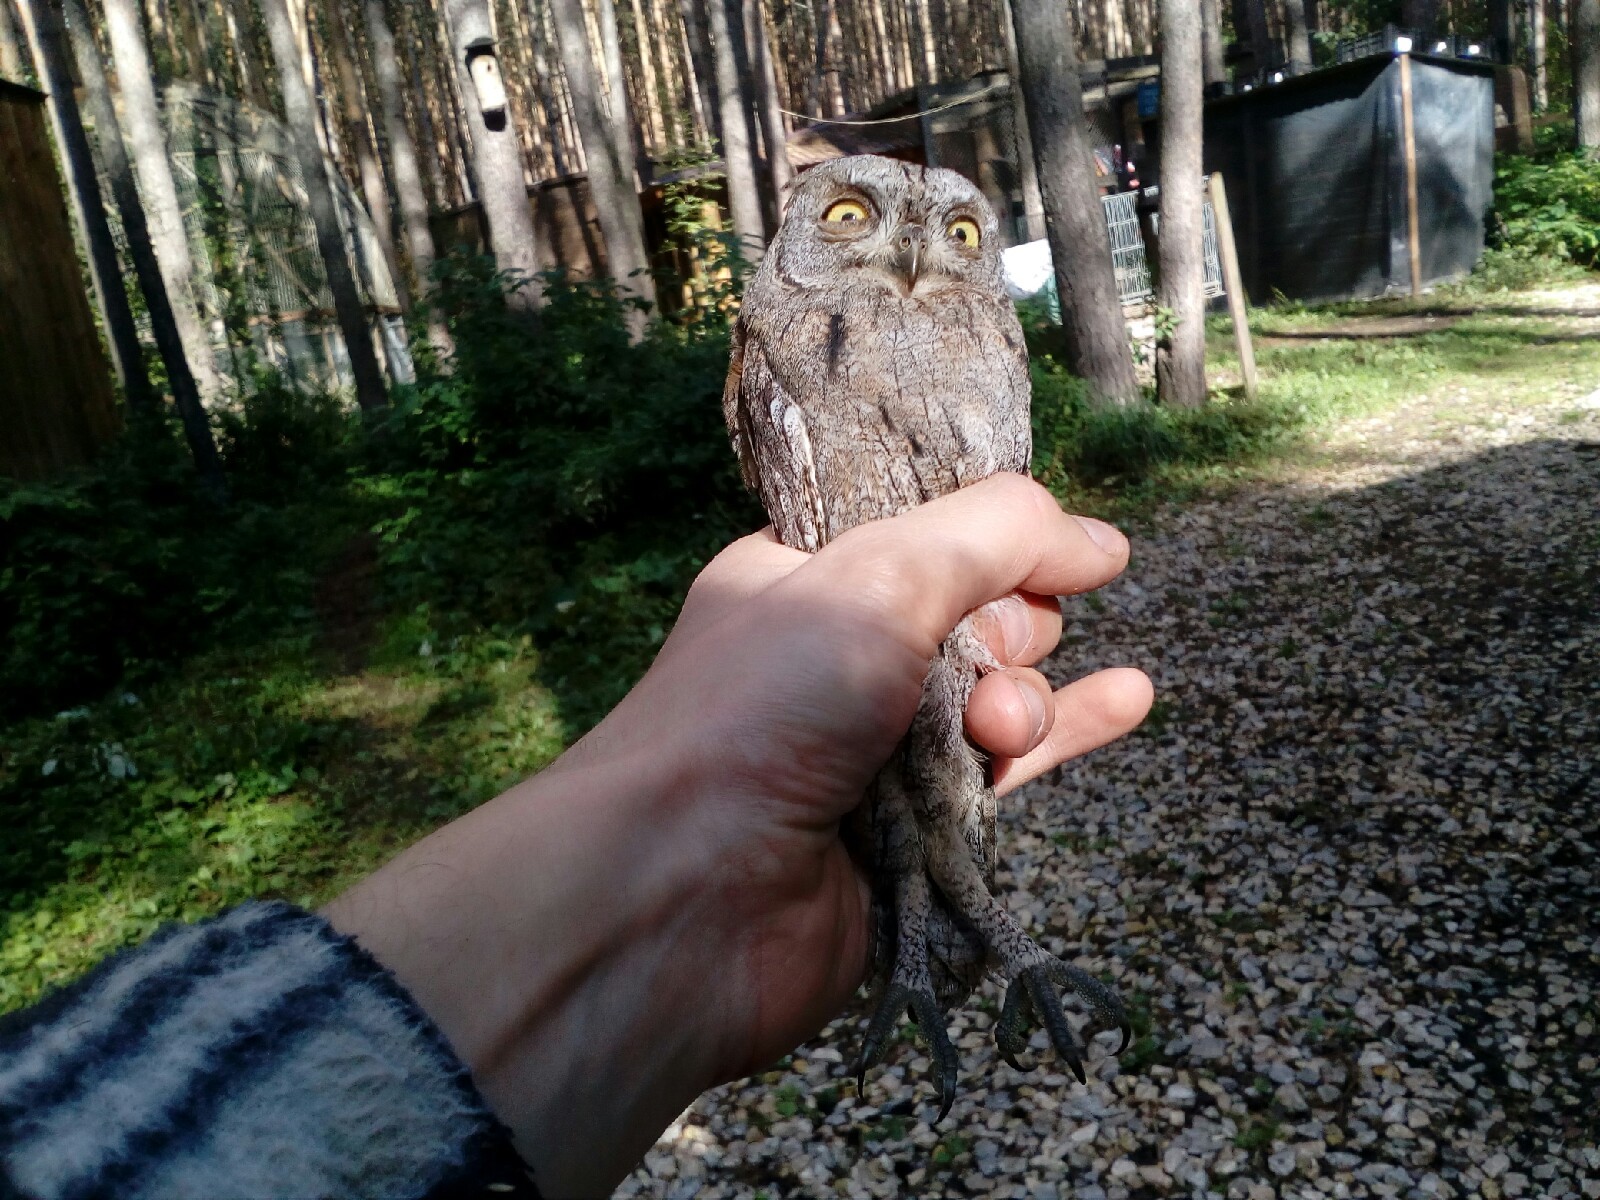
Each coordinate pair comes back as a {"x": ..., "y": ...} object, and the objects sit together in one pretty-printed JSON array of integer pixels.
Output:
[{"x": 610, "y": 177}]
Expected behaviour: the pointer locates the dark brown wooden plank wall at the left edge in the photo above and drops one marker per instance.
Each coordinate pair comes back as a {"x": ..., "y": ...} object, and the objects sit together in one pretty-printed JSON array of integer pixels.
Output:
[{"x": 57, "y": 402}]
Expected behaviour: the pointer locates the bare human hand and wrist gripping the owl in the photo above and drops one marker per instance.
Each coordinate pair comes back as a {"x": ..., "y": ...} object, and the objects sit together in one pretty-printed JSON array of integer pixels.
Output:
[{"x": 671, "y": 905}]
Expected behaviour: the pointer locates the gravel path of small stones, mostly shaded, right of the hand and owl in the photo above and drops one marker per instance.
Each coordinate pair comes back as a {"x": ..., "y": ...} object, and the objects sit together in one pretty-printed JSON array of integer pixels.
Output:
[{"x": 1346, "y": 874}]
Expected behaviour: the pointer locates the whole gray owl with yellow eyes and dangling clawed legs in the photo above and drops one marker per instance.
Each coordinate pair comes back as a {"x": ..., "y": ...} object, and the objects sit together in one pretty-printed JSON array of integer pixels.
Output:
[{"x": 878, "y": 364}]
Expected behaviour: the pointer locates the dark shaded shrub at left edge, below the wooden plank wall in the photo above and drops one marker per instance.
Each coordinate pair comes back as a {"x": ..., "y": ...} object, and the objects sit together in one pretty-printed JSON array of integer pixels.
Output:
[{"x": 124, "y": 569}]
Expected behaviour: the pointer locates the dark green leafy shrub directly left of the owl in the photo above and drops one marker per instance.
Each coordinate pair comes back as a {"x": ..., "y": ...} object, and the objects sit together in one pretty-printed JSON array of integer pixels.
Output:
[{"x": 566, "y": 486}]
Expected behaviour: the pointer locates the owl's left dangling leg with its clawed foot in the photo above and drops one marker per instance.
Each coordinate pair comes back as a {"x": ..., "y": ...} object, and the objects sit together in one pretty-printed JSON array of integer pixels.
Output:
[{"x": 910, "y": 988}]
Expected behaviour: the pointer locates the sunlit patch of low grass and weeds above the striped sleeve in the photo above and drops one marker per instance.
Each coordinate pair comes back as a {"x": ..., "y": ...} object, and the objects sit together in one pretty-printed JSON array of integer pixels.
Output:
[{"x": 257, "y": 778}]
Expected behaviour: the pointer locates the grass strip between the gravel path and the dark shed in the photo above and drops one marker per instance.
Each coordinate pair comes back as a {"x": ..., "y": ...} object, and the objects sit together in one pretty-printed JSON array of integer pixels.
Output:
[{"x": 1122, "y": 463}]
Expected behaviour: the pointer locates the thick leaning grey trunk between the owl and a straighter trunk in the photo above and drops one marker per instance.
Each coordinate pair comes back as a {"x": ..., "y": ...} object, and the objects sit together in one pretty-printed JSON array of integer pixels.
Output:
[{"x": 1074, "y": 218}]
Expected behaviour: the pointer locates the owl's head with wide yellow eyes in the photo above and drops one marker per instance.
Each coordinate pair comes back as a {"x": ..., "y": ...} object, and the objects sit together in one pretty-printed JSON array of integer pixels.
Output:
[{"x": 873, "y": 222}]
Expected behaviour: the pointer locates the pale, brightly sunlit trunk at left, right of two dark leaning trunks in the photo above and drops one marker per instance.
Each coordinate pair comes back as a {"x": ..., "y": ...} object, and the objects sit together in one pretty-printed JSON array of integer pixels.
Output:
[{"x": 148, "y": 143}]
